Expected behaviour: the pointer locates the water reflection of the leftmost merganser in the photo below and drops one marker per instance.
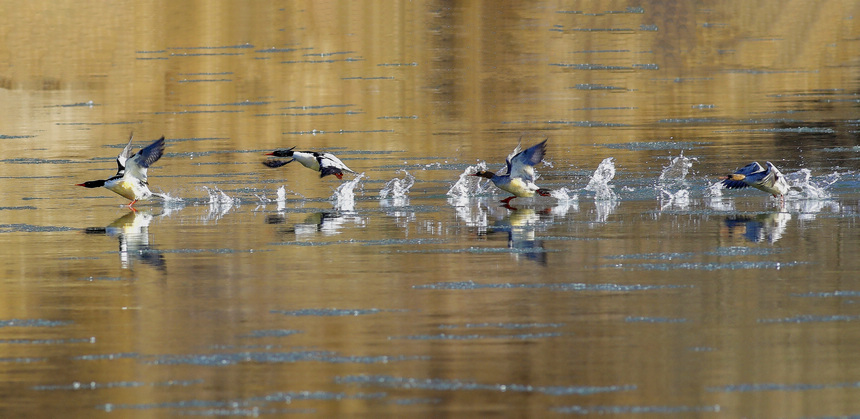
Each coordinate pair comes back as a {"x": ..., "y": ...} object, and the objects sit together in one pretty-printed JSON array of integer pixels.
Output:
[{"x": 132, "y": 231}]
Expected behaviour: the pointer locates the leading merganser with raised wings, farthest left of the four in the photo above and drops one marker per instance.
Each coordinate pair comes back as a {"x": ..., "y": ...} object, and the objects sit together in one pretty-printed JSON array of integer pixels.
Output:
[{"x": 130, "y": 178}]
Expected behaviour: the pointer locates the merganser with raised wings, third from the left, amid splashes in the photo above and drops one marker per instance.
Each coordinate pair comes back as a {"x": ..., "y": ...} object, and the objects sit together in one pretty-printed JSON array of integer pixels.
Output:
[{"x": 519, "y": 176}]
